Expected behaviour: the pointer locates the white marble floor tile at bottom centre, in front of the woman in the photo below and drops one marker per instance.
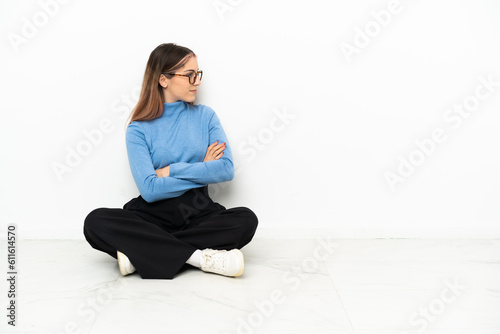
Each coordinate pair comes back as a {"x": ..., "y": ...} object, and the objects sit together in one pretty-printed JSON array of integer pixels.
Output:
[{"x": 226, "y": 310}]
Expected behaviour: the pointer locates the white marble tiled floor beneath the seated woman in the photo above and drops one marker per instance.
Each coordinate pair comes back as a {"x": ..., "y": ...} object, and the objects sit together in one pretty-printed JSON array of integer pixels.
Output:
[{"x": 381, "y": 286}]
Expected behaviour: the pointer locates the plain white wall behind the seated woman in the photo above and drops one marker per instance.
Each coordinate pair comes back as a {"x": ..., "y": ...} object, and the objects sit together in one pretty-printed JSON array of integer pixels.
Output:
[{"x": 351, "y": 119}]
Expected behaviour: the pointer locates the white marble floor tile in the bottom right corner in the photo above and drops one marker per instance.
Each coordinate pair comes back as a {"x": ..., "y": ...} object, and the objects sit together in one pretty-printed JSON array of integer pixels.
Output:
[{"x": 419, "y": 310}]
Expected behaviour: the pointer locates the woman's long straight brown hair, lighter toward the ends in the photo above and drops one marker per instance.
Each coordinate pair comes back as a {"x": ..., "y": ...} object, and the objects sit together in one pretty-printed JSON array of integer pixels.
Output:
[{"x": 166, "y": 57}]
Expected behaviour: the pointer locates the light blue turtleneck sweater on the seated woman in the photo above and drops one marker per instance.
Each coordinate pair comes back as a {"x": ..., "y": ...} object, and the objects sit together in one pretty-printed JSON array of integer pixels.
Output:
[{"x": 179, "y": 138}]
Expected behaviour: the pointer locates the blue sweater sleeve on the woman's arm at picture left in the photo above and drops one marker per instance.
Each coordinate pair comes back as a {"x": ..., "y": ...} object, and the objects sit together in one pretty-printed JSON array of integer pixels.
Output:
[{"x": 151, "y": 187}]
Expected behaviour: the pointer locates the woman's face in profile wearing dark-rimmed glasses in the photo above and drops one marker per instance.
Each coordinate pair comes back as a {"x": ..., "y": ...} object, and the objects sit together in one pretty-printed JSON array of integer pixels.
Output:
[{"x": 178, "y": 87}]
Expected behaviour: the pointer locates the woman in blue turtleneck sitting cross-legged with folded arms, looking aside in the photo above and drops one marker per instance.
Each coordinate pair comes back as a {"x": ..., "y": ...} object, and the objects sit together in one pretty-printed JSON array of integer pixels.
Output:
[{"x": 175, "y": 149}]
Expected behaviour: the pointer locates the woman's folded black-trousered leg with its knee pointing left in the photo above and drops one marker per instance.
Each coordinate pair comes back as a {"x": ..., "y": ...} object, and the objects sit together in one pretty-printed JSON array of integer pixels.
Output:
[{"x": 153, "y": 251}]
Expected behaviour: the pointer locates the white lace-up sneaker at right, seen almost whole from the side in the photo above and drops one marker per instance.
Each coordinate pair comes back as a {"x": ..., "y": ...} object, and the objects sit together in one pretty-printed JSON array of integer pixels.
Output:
[{"x": 222, "y": 262}]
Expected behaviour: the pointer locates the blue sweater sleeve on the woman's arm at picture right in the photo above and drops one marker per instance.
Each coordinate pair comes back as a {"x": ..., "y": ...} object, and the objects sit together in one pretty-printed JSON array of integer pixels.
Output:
[{"x": 208, "y": 172}]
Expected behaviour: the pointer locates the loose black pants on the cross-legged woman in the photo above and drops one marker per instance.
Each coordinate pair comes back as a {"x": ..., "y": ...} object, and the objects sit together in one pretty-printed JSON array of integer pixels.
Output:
[{"x": 159, "y": 237}]
